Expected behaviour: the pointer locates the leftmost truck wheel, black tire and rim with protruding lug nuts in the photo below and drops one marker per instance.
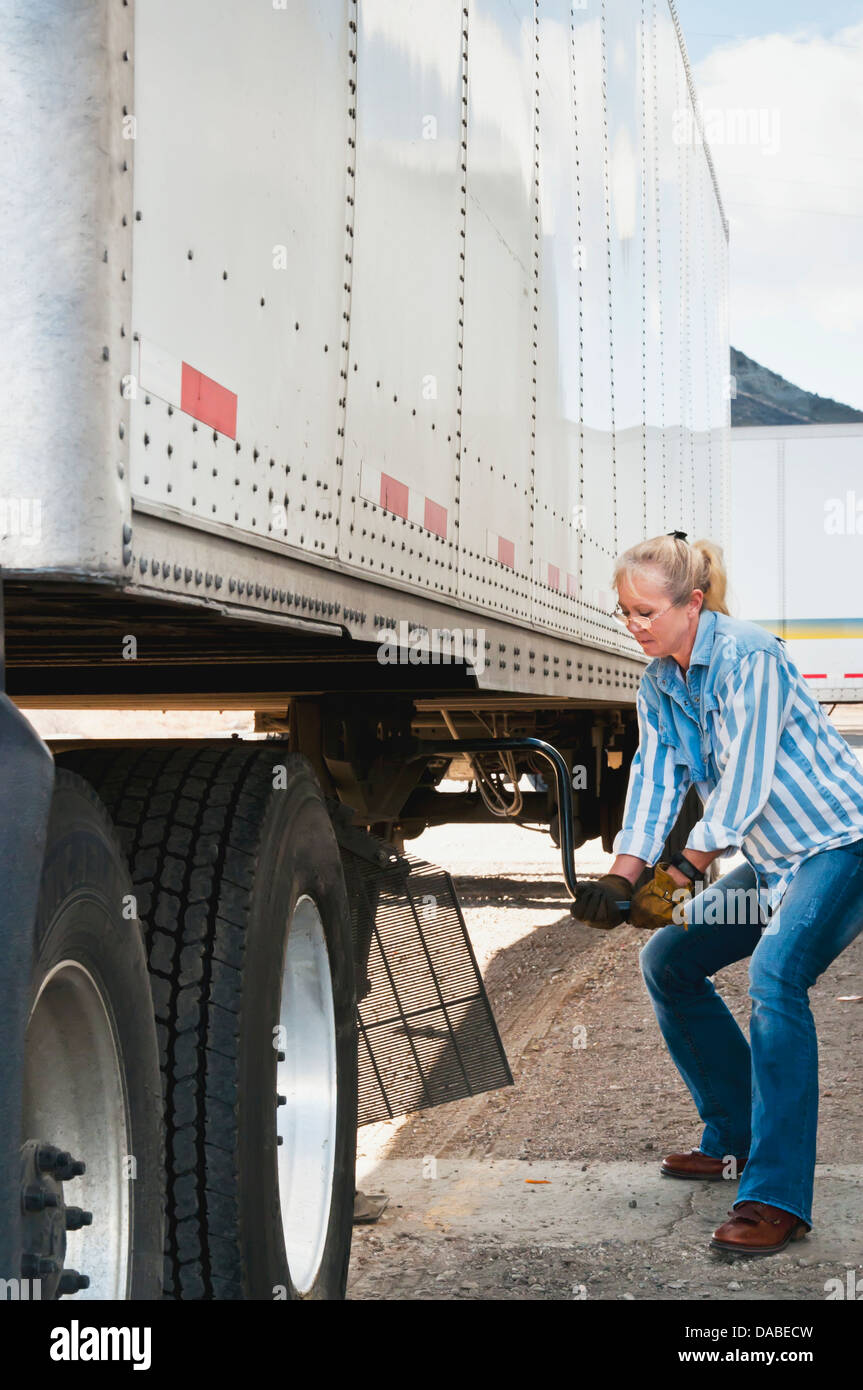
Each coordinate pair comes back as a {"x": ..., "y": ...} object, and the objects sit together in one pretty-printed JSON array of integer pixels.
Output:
[{"x": 92, "y": 1092}]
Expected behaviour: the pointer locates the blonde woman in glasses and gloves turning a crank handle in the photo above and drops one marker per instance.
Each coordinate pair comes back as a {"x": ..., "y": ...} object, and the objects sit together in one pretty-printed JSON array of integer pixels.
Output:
[{"x": 723, "y": 707}]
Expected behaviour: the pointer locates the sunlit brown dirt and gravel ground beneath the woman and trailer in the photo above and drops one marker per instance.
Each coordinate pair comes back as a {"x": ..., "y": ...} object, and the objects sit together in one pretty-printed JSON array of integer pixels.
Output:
[{"x": 550, "y": 1189}]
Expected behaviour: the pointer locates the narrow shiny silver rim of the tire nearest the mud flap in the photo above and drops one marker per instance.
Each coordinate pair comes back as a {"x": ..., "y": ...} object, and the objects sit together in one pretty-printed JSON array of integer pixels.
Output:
[{"x": 308, "y": 1081}]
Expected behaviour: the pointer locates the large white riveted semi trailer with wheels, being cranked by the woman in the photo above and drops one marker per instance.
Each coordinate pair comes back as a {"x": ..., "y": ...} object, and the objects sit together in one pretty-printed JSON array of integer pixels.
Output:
[{"x": 345, "y": 344}]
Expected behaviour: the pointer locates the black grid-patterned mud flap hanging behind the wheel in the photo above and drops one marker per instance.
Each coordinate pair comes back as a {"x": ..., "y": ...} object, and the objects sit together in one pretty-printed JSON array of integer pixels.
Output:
[{"x": 427, "y": 1031}]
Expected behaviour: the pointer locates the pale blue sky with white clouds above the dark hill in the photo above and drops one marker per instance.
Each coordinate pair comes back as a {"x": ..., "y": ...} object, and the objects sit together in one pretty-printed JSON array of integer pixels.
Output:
[{"x": 782, "y": 92}]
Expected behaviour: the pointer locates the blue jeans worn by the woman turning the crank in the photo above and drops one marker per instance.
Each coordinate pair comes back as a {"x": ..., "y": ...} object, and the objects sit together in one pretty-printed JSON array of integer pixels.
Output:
[{"x": 758, "y": 1099}]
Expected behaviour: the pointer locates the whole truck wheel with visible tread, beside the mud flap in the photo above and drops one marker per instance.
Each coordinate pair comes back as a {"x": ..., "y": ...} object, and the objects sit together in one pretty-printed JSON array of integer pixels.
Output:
[{"x": 249, "y": 935}]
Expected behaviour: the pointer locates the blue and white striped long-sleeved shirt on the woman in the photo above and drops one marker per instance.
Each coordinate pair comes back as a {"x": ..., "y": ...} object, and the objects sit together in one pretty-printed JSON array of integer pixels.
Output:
[{"x": 778, "y": 780}]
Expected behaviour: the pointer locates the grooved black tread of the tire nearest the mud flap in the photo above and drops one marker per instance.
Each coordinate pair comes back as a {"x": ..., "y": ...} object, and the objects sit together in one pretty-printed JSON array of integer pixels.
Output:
[{"x": 190, "y": 821}]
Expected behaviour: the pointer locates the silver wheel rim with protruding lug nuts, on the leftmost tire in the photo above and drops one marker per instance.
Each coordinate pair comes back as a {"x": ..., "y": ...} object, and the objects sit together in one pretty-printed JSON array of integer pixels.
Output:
[{"x": 74, "y": 1097}]
